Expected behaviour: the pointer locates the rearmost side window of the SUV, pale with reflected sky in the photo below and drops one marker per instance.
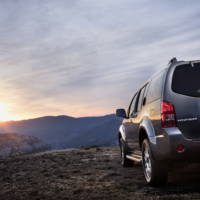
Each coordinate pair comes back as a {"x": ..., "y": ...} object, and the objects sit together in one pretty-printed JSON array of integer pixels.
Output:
[{"x": 155, "y": 88}]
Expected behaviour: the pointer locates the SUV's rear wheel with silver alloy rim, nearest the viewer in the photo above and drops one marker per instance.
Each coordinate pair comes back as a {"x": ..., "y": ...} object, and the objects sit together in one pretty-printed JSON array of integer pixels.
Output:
[{"x": 155, "y": 172}]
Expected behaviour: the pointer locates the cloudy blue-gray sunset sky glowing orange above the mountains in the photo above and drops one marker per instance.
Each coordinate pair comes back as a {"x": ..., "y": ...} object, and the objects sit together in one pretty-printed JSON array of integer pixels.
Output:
[{"x": 87, "y": 57}]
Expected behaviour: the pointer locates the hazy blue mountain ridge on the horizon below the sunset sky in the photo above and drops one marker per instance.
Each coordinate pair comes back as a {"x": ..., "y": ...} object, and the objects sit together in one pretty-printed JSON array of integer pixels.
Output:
[{"x": 67, "y": 132}]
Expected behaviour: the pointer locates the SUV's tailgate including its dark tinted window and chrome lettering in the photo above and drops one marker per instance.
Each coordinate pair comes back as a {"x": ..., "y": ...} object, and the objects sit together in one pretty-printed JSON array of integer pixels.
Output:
[{"x": 186, "y": 99}]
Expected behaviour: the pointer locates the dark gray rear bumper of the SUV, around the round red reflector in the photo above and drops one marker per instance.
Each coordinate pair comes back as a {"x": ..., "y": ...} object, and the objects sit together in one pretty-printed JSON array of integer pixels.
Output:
[{"x": 165, "y": 147}]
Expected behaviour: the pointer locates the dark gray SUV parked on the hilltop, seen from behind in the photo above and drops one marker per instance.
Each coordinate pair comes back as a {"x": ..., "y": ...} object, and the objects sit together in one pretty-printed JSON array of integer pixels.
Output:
[{"x": 162, "y": 124}]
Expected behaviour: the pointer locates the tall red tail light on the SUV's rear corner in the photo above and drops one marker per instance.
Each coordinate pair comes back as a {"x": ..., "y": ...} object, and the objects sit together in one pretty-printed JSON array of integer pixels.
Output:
[{"x": 168, "y": 115}]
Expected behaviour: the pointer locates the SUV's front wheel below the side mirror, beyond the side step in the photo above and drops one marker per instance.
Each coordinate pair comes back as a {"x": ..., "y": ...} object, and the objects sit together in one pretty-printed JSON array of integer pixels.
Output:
[{"x": 123, "y": 151}]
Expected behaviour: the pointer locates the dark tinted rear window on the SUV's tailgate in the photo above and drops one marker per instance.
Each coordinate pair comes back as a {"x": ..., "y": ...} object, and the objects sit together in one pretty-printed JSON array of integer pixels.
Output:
[{"x": 186, "y": 80}]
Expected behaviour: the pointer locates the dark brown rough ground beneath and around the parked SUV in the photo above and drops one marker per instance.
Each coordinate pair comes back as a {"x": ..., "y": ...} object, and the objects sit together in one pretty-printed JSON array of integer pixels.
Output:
[{"x": 93, "y": 173}]
